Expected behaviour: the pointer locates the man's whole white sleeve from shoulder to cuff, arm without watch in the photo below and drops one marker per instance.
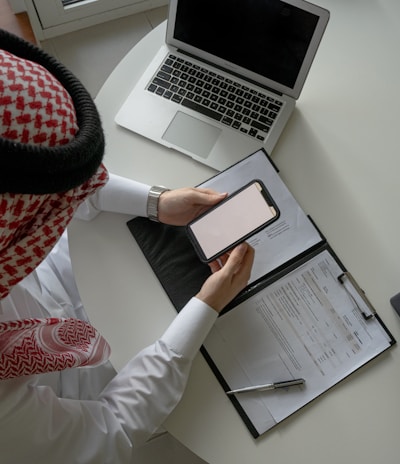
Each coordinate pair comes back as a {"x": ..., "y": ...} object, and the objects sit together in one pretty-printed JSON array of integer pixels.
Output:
[{"x": 37, "y": 426}]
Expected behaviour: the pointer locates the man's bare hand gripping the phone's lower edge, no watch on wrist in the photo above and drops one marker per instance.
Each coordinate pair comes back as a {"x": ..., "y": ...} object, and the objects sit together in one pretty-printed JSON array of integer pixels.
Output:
[{"x": 231, "y": 274}]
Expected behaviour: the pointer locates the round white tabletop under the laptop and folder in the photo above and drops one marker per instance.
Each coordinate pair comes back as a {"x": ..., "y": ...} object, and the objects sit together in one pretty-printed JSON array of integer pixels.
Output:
[{"x": 340, "y": 157}]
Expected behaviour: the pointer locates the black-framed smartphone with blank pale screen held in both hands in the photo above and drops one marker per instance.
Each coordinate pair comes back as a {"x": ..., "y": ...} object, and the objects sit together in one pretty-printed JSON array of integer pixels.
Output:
[{"x": 238, "y": 217}]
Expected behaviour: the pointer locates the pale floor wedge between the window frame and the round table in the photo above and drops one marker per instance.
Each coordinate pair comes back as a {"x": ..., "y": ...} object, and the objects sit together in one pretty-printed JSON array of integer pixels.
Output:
[{"x": 92, "y": 53}]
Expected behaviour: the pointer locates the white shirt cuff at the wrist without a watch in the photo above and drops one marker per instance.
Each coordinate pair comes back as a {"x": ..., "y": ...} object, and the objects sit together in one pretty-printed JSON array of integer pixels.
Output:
[{"x": 189, "y": 329}]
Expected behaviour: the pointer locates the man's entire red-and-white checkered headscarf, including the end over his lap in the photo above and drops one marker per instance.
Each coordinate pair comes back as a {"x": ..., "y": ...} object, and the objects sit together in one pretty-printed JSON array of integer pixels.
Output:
[{"x": 35, "y": 109}]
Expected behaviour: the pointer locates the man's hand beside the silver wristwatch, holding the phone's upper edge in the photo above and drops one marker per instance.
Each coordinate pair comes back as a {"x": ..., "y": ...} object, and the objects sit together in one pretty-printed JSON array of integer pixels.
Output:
[{"x": 179, "y": 207}]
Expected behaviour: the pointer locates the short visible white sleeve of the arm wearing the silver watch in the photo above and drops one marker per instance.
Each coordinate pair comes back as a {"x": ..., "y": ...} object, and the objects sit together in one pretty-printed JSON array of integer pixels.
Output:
[{"x": 119, "y": 195}]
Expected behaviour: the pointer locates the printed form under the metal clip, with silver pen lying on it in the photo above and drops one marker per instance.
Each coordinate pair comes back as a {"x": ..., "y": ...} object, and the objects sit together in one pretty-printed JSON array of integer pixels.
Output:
[{"x": 304, "y": 325}]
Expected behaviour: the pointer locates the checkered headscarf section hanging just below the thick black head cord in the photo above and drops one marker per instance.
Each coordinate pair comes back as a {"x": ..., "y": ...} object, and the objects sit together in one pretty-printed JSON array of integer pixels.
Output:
[{"x": 30, "y": 225}]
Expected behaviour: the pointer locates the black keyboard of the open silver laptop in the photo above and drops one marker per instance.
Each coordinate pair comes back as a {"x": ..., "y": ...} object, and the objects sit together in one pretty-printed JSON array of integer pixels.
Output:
[{"x": 216, "y": 96}]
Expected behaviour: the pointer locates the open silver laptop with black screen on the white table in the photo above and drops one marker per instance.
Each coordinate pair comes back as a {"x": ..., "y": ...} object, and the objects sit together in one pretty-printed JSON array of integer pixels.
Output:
[{"x": 227, "y": 78}]
